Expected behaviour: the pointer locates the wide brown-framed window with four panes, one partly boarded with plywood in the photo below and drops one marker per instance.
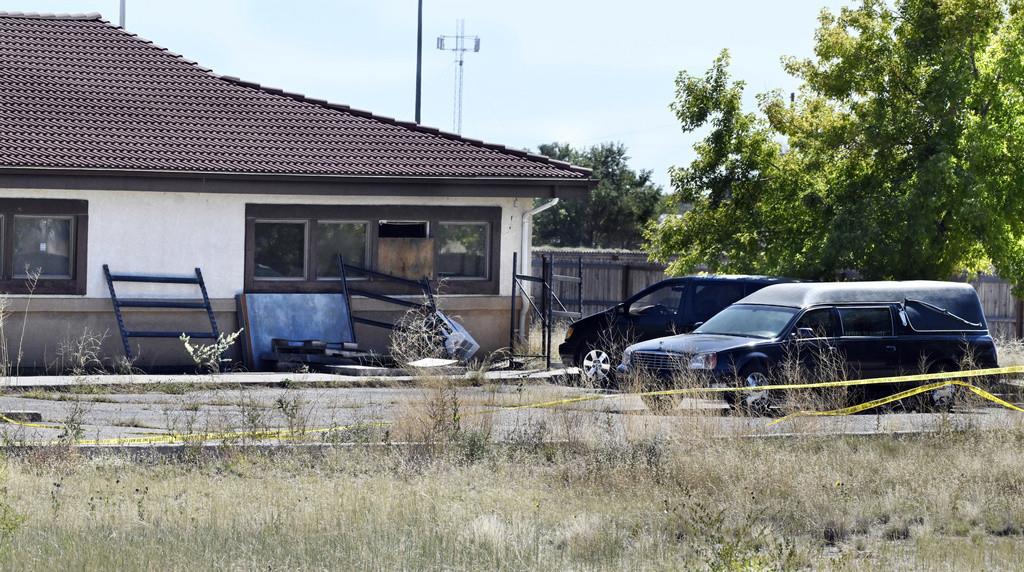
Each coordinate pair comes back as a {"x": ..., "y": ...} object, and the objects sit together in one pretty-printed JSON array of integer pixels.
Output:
[{"x": 295, "y": 248}]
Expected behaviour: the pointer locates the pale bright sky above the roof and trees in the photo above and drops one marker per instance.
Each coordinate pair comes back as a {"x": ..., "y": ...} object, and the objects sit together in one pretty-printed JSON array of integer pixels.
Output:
[{"x": 581, "y": 72}]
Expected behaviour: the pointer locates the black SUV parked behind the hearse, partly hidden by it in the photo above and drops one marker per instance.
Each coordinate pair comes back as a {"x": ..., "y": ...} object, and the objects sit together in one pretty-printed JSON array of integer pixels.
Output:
[{"x": 672, "y": 306}]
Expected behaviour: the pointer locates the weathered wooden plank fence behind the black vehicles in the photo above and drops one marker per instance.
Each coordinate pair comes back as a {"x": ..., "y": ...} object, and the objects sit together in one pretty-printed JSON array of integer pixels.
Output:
[{"x": 611, "y": 277}]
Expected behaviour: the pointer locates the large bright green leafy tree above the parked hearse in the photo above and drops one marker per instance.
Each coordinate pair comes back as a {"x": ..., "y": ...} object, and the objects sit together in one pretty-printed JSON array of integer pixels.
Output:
[{"x": 900, "y": 158}]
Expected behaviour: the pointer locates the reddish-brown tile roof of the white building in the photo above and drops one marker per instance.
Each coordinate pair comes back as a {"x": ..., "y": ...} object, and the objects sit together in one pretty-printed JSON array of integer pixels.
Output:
[{"x": 77, "y": 93}]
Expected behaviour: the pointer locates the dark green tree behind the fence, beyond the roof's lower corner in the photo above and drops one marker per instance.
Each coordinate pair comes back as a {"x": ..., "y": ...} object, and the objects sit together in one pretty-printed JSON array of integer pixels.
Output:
[{"x": 614, "y": 215}]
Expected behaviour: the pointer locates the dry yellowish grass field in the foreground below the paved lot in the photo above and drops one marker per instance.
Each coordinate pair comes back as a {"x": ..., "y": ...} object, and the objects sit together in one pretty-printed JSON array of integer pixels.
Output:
[{"x": 950, "y": 502}]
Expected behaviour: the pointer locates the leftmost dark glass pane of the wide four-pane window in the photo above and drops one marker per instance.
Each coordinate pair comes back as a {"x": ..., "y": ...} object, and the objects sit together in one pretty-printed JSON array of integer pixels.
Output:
[{"x": 280, "y": 250}]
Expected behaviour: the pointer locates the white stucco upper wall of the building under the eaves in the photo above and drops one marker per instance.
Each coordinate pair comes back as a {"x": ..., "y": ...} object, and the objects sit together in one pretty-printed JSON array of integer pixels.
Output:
[{"x": 174, "y": 233}]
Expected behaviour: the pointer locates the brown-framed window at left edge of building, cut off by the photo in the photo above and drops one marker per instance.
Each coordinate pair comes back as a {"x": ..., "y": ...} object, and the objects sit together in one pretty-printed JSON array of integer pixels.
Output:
[{"x": 44, "y": 246}]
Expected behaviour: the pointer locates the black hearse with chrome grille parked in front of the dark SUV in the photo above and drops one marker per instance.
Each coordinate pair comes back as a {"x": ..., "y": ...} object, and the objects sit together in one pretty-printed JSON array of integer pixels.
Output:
[{"x": 876, "y": 329}]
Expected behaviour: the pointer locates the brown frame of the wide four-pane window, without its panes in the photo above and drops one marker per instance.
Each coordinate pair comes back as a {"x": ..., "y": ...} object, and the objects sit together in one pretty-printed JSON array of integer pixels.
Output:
[{"x": 372, "y": 215}]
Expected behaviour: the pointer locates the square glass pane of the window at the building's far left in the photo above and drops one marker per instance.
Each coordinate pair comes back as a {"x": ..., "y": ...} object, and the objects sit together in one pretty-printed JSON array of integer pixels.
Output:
[{"x": 44, "y": 245}]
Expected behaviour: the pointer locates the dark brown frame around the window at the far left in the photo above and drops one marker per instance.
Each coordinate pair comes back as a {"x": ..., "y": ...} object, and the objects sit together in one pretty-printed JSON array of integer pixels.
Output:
[{"x": 78, "y": 212}]
